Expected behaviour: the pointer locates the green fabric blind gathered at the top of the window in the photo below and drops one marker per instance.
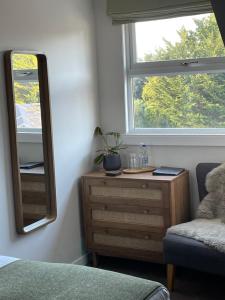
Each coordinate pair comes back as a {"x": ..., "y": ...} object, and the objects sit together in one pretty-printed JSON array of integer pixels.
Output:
[{"x": 128, "y": 11}]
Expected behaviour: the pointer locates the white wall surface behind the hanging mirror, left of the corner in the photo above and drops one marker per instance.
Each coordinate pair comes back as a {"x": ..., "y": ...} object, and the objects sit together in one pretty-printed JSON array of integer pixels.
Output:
[{"x": 64, "y": 30}]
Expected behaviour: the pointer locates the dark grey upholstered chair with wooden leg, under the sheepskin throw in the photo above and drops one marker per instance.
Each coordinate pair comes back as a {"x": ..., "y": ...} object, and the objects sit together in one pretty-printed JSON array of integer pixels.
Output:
[{"x": 190, "y": 253}]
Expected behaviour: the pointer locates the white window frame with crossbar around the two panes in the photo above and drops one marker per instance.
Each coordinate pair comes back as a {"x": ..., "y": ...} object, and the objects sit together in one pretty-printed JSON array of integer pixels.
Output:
[{"x": 175, "y": 67}]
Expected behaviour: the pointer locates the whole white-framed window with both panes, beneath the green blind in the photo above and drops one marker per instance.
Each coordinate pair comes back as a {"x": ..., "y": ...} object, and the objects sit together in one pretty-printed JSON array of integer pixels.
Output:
[{"x": 176, "y": 76}]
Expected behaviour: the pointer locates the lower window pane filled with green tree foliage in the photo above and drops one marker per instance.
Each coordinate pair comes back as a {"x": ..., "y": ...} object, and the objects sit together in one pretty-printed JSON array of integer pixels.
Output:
[{"x": 179, "y": 101}]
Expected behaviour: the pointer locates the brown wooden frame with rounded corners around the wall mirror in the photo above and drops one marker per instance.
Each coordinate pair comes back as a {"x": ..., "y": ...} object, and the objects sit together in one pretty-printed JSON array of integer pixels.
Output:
[{"x": 47, "y": 142}]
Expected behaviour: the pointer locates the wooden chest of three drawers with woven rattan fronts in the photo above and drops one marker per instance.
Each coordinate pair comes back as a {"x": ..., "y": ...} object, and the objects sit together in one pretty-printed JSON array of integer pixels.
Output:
[{"x": 127, "y": 216}]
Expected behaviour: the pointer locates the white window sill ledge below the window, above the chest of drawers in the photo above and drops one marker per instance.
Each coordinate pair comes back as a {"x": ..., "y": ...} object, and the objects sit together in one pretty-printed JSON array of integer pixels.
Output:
[{"x": 198, "y": 140}]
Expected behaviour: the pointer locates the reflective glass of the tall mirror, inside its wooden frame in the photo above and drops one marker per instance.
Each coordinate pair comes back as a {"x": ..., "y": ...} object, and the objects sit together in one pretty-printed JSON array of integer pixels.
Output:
[{"x": 28, "y": 121}]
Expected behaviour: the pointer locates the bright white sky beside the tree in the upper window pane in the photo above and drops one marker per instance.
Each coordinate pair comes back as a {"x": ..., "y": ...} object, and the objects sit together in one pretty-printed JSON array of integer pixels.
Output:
[{"x": 149, "y": 35}]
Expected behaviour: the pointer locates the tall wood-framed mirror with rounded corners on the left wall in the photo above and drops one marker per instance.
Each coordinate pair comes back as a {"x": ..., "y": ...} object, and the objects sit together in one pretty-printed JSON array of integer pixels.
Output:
[{"x": 31, "y": 139}]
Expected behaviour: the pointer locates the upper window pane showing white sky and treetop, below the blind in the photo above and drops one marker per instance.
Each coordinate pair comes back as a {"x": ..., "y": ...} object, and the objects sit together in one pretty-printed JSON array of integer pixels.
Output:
[{"x": 178, "y": 38}]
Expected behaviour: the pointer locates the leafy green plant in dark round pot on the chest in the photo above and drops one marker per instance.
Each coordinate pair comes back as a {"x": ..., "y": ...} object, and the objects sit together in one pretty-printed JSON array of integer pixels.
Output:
[{"x": 109, "y": 154}]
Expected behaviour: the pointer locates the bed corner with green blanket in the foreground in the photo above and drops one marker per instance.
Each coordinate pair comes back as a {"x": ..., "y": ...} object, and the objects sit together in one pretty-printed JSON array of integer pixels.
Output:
[{"x": 23, "y": 280}]
